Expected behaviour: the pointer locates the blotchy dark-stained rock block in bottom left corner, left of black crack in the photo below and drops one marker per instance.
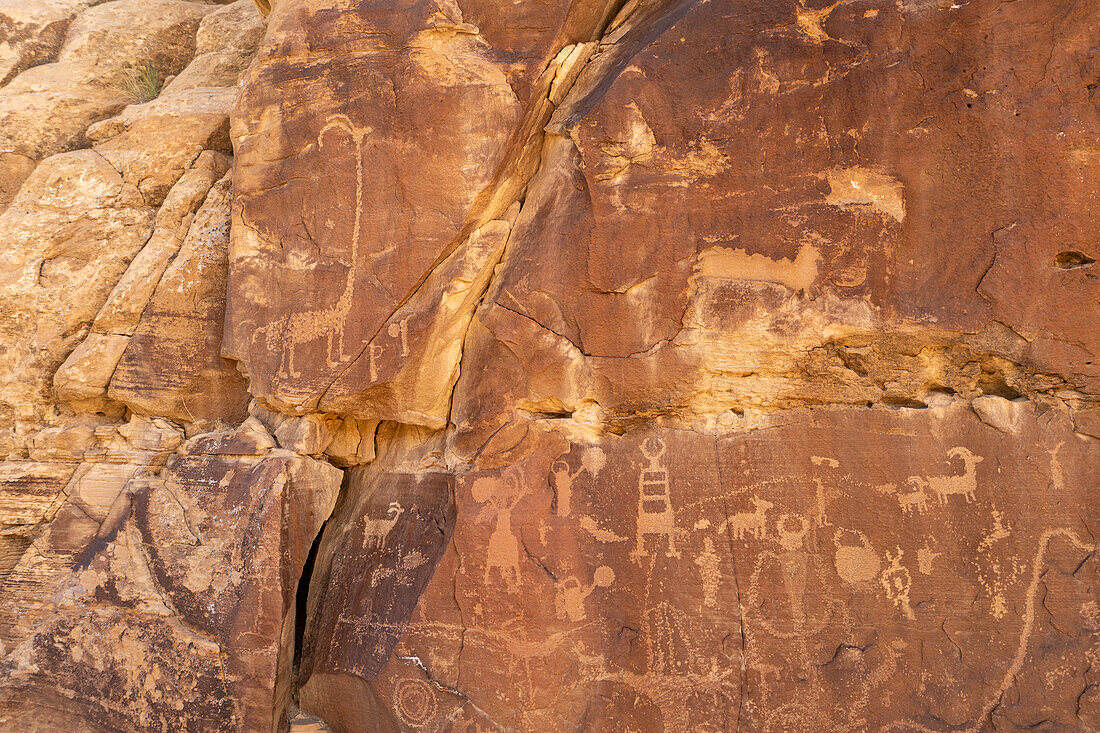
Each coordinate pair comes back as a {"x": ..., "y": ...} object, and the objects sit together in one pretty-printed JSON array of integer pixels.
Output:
[{"x": 192, "y": 625}]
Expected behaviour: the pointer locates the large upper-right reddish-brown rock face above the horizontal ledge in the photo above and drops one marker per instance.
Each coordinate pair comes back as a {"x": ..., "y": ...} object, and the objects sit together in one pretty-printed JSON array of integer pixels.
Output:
[{"x": 787, "y": 243}]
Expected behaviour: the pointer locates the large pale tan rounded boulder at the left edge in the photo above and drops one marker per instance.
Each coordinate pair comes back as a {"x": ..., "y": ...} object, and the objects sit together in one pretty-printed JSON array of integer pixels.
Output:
[{"x": 70, "y": 236}]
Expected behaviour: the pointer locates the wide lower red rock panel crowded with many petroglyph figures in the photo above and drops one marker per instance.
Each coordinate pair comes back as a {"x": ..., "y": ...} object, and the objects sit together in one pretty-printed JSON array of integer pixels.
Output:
[{"x": 779, "y": 583}]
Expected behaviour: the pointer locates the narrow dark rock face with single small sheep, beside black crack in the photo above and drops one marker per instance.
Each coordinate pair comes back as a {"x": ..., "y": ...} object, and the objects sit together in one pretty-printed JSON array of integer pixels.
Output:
[{"x": 373, "y": 563}]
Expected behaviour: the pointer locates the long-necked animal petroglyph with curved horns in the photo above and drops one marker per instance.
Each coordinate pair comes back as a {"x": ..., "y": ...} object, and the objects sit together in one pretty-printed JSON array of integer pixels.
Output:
[{"x": 289, "y": 333}]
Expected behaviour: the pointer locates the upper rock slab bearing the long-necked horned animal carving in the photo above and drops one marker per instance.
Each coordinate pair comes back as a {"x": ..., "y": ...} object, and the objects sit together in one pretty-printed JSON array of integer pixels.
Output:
[{"x": 422, "y": 133}]
